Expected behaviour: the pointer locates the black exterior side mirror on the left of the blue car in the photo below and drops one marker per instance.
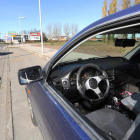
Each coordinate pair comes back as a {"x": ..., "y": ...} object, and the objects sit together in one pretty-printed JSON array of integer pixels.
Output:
[{"x": 30, "y": 75}]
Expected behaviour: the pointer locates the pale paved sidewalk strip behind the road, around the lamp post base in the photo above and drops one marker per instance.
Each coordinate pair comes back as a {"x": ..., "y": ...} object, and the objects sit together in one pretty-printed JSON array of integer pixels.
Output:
[{"x": 48, "y": 52}]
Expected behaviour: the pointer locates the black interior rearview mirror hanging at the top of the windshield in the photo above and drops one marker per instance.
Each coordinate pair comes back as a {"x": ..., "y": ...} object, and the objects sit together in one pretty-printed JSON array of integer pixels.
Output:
[{"x": 125, "y": 42}]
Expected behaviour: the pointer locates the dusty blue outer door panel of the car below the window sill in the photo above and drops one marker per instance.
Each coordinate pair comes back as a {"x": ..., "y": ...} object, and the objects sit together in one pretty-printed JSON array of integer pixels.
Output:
[{"x": 54, "y": 121}]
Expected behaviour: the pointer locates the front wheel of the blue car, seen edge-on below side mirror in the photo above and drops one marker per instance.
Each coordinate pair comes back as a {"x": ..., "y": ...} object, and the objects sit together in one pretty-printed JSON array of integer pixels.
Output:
[{"x": 31, "y": 112}]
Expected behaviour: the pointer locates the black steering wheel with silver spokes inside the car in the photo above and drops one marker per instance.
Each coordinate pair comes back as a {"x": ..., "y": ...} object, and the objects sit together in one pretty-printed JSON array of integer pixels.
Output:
[{"x": 92, "y": 84}]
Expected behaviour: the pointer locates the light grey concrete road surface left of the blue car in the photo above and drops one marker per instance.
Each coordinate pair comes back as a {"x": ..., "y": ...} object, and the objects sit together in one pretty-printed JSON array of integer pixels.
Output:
[{"x": 14, "y": 111}]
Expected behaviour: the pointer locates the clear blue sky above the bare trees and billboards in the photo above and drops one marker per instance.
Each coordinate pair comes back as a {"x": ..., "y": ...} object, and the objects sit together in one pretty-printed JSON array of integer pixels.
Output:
[{"x": 80, "y": 12}]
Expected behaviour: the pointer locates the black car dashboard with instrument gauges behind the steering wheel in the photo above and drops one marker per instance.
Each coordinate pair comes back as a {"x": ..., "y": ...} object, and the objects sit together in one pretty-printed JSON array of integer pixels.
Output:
[{"x": 120, "y": 71}]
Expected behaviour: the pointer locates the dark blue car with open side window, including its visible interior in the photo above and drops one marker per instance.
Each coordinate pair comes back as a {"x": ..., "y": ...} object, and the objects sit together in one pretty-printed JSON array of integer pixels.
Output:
[{"x": 90, "y": 91}]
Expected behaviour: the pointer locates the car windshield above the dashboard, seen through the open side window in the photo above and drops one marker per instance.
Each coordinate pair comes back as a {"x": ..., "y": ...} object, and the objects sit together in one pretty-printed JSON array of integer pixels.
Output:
[{"x": 99, "y": 47}]
